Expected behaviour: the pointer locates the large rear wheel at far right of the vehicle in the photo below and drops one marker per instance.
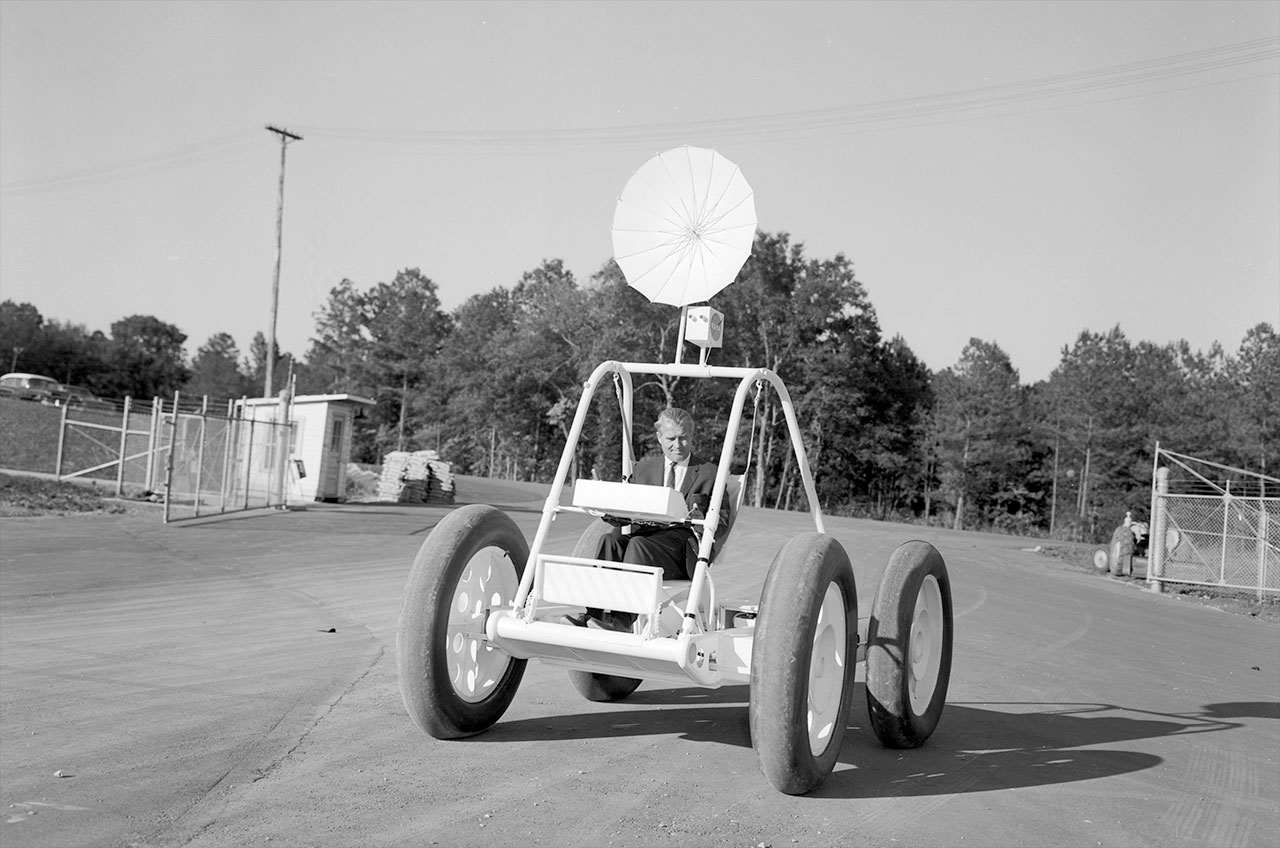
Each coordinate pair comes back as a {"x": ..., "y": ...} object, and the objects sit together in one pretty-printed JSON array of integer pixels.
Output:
[{"x": 909, "y": 648}]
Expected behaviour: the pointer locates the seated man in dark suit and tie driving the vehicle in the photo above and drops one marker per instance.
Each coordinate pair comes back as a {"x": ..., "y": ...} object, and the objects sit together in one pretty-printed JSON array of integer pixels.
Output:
[{"x": 674, "y": 548}]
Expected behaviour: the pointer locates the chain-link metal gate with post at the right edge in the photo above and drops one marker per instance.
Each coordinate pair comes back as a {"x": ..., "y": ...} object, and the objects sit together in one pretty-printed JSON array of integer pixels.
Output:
[{"x": 1214, "y": 526}]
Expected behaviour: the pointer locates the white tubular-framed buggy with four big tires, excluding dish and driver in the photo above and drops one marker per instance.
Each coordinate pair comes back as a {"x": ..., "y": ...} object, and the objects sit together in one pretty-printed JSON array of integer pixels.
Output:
[{"x": 481, "y": 603}]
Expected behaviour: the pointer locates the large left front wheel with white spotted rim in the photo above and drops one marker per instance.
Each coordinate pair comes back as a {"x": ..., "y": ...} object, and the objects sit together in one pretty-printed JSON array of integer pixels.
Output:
[{"x": 452, "y": 681}]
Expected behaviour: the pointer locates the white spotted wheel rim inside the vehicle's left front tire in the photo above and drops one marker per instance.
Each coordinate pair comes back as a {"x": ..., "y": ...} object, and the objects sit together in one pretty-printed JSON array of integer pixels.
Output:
[{"x": 487, "y": 583}]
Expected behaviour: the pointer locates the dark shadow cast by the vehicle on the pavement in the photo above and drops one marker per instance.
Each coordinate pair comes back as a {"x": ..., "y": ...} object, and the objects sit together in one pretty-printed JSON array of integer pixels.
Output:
[{"x": 976, "y": 749}]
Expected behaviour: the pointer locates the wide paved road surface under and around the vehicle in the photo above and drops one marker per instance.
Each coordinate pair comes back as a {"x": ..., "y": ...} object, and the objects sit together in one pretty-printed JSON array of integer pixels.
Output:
[{"x": 232, "y": 682}]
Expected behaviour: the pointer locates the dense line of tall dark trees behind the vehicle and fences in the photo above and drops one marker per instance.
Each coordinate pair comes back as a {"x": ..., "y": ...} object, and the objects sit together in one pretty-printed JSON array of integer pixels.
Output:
[{"x": 495, "y": 386}]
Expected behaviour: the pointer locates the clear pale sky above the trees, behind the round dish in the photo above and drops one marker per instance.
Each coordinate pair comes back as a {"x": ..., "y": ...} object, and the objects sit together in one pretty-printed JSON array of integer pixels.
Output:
[{"x": 1016, "y": 172}]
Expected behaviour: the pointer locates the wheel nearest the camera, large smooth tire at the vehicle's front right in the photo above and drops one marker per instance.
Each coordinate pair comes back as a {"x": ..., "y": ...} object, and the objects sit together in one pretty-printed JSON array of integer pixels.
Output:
[{"x": 803, "y": 663}]
